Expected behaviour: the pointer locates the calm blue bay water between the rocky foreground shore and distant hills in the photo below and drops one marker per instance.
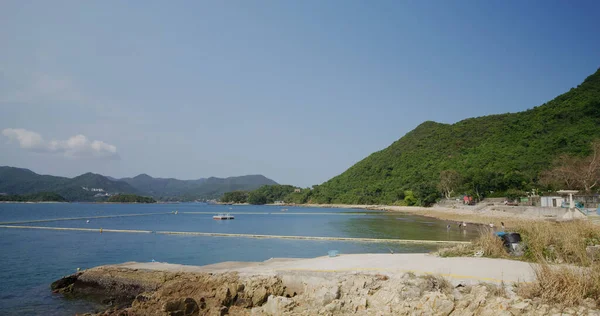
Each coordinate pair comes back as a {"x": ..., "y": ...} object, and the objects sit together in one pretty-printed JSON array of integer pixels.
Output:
[{"x": 32, "y": 259}]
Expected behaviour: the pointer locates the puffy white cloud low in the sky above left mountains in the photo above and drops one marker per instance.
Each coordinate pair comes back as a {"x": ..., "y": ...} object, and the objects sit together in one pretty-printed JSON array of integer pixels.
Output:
[{"x": 76, "y": 147}]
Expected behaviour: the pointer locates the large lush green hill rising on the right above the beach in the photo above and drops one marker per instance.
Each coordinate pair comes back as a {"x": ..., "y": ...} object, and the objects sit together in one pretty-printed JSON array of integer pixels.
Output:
[{"x": 492, "y": 153}]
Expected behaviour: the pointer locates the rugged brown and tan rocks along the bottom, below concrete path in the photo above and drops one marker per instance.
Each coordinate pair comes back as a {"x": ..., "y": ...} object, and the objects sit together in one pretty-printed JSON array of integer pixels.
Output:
[{"x": 150, "y": 293}]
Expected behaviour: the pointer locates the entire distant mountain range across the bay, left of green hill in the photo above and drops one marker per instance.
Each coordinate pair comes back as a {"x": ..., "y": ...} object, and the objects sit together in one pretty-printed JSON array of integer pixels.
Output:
[{"x": 91, "y": 186}]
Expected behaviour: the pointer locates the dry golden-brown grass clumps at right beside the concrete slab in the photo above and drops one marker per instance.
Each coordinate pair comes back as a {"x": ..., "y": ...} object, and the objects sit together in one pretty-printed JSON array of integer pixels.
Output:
[{"x": 565, "y": 274}]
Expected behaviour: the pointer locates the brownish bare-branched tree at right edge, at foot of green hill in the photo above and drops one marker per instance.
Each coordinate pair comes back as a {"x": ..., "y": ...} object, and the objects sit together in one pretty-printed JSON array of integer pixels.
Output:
[{"x": 582, "y": 173}]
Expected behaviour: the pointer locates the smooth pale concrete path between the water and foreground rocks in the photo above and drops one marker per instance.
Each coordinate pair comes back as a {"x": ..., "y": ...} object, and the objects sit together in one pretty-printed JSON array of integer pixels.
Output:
[{"x": 462, "y": 269}]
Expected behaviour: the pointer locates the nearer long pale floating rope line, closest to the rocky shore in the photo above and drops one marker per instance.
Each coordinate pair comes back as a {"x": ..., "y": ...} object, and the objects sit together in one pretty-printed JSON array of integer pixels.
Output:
[{"x": 354, "y": 239}]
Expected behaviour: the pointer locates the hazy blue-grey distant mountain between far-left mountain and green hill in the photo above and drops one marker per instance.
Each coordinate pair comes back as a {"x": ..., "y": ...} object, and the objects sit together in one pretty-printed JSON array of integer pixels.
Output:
[{"x": 204, "y": 188}]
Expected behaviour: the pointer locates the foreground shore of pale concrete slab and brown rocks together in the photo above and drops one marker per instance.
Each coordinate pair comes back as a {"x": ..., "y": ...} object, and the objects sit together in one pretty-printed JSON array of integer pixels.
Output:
[{"x": 364, "y": 284}]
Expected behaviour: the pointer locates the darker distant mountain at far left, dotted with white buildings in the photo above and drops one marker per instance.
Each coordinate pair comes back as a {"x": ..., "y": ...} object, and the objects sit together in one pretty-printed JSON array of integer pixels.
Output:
[{"x": 86, "y": 187}]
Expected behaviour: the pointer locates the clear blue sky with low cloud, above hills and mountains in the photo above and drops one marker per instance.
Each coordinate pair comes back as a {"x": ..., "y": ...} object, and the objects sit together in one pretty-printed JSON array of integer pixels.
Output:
[{"x": 298, "y": 91}]
